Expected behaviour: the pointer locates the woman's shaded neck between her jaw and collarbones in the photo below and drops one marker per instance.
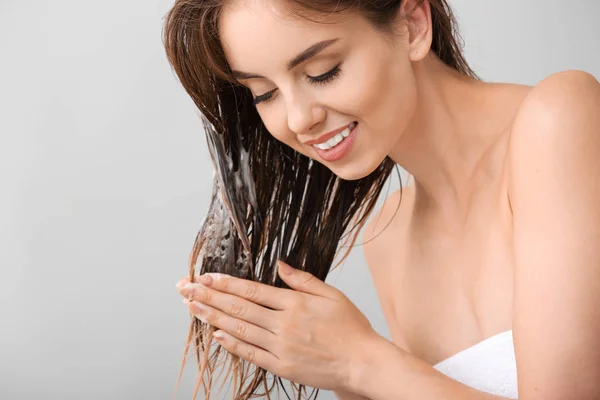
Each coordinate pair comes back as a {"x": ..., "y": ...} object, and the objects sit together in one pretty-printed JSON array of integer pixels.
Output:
[{"x": 445, "y": 142}]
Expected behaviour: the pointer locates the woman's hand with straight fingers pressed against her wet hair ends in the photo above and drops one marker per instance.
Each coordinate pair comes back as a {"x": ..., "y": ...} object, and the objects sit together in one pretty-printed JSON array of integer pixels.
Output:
[{"x": 312, "y": 335}]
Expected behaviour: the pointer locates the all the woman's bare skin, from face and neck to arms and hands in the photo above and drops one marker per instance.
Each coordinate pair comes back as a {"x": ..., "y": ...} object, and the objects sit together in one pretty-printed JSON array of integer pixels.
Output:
[{"x": 500, "y": 230}]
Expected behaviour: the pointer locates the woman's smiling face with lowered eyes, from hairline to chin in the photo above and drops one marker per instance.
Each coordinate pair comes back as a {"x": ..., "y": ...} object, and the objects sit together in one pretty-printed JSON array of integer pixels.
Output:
[{"x": 355, "y": 74}]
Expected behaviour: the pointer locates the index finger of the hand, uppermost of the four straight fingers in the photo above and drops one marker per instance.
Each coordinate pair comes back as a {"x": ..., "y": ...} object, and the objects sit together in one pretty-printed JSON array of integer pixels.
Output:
[{"x": 258, "y": 293}]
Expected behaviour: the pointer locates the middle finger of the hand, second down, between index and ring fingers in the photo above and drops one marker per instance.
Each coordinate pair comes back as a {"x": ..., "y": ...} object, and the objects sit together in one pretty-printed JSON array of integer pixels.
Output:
[{"x": 232, "y": 305}]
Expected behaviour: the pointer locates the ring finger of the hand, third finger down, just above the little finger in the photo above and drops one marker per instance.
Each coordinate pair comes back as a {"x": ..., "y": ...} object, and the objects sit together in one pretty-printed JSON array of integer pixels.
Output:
[{"x": 242, "y": 330}]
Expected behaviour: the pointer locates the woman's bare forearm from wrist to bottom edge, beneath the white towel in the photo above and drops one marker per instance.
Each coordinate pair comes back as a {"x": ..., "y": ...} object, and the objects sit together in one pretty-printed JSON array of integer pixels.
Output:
[{"x": 389, "y": 373}]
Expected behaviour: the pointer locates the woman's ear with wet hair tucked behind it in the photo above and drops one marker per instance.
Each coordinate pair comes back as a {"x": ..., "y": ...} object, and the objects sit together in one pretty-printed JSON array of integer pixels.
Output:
[{"x": 417, "y": 15}]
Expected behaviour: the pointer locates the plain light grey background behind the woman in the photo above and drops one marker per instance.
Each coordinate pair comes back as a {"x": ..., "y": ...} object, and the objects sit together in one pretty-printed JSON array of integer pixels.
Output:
[{"x": 104, "y": 180}]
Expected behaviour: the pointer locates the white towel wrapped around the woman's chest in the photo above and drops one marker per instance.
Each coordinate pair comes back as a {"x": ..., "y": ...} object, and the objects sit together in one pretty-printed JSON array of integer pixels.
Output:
[{"x": 488, "y": 366}]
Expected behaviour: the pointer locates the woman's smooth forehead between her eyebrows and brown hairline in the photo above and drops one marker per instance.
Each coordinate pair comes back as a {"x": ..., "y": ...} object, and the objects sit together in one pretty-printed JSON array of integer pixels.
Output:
[{"x": 260, "y": 34}]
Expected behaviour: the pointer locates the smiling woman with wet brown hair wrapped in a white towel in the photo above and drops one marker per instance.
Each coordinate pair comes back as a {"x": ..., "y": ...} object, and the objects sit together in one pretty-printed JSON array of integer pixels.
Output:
[{"x": 491, "y": 255}]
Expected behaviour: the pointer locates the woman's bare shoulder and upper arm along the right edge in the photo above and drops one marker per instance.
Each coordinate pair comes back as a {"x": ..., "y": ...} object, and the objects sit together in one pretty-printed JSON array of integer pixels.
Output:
[{"x": 554, "y": 189}]
